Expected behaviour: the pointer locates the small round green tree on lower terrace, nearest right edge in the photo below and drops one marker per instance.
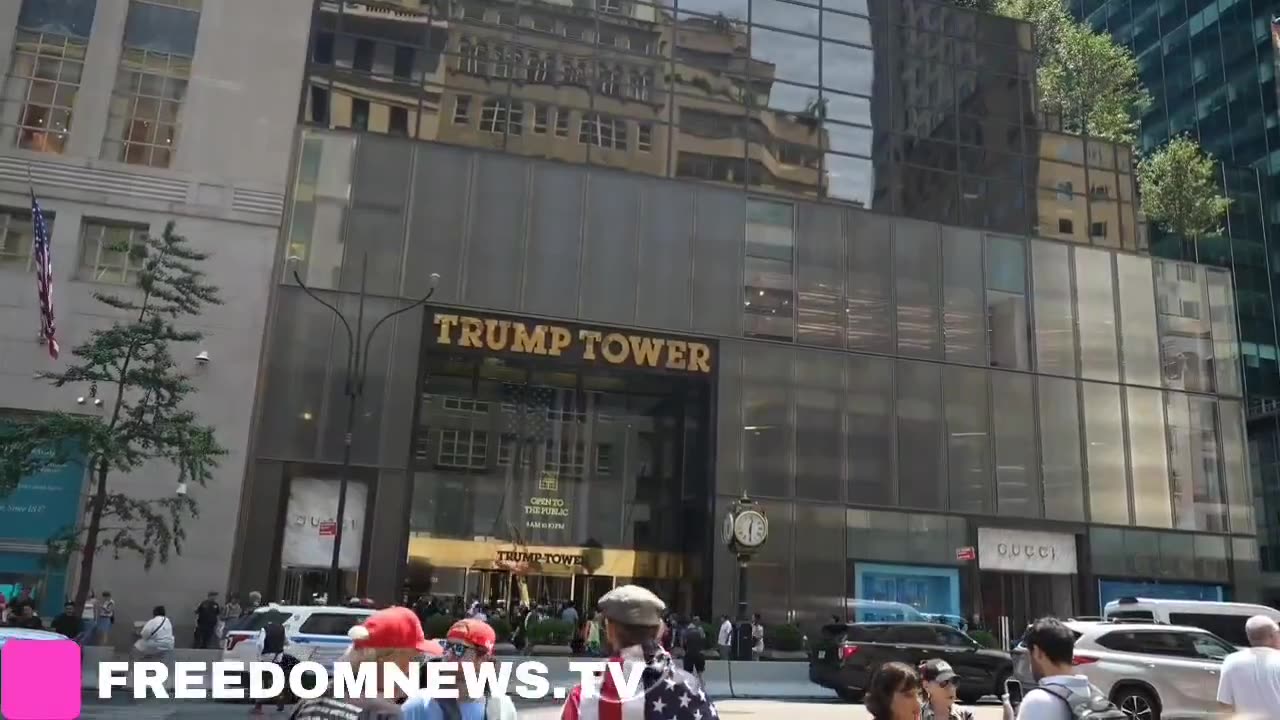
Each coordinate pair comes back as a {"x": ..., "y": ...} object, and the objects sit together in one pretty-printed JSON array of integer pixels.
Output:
[{"x": 1180, "y": 189}]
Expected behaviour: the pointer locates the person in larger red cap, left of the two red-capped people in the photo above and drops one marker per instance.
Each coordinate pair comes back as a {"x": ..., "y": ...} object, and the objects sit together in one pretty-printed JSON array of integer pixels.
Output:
[{"x": 388, "y": 636}]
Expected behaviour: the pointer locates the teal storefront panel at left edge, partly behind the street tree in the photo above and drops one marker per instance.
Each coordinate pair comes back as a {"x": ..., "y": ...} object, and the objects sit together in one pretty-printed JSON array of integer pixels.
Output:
[{"x": 43, "y": 507}]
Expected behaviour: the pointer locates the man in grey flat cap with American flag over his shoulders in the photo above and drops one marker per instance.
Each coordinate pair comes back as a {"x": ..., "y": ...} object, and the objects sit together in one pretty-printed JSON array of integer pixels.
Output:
[{"x": 633, "y": 625}]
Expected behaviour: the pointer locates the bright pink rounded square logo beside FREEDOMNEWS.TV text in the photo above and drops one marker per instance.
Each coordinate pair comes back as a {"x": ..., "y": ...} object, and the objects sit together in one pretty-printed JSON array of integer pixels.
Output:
[{"x": 40, "y": 681}]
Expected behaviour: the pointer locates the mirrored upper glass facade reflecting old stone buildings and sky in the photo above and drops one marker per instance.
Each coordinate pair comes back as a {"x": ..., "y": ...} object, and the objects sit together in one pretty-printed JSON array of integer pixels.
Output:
[{"x": 906, "y": 107}]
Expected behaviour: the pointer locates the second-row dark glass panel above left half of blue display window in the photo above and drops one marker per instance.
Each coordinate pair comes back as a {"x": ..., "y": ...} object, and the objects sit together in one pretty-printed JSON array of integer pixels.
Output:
[{"x": 871, "y": 430}]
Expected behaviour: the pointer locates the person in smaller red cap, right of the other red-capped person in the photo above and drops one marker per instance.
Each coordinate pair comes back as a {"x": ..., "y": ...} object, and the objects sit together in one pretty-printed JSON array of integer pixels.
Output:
[{"x": 468, "y": 642}]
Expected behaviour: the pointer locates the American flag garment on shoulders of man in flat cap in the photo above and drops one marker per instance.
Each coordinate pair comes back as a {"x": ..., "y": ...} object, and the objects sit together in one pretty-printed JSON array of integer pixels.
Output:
[{"x": 666, "y": 695}]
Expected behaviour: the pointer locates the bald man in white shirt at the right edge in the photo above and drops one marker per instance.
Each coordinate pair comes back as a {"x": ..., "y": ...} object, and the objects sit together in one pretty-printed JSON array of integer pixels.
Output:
[{"x": 1250, "y": 685}]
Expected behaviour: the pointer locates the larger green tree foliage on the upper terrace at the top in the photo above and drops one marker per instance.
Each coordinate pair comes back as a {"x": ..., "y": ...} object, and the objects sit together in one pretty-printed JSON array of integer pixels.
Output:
[{"x": 1084, "y": 76}]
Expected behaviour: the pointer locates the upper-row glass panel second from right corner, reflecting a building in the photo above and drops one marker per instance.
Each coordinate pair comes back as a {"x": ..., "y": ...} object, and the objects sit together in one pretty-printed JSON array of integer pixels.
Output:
[{"x": 1183, "y": 318}]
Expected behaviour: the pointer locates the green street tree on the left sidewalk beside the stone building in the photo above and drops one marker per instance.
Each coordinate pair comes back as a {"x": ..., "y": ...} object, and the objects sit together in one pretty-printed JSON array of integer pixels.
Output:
[{"x": 144, "y": 422}]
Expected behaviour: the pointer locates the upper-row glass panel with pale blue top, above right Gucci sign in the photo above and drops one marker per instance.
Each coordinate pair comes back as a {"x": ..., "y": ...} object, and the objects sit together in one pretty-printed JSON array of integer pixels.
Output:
[{"x": 1008, "y": 323}]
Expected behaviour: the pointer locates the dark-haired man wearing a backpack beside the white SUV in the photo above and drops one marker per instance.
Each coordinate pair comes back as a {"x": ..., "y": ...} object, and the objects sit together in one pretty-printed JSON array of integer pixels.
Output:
[{"x": 1060, "y": 694}]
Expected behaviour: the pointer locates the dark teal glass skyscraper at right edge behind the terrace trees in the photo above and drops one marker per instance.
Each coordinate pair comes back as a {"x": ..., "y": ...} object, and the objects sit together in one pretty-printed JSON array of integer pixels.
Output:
[{"x": 1210, "y": 69}]
